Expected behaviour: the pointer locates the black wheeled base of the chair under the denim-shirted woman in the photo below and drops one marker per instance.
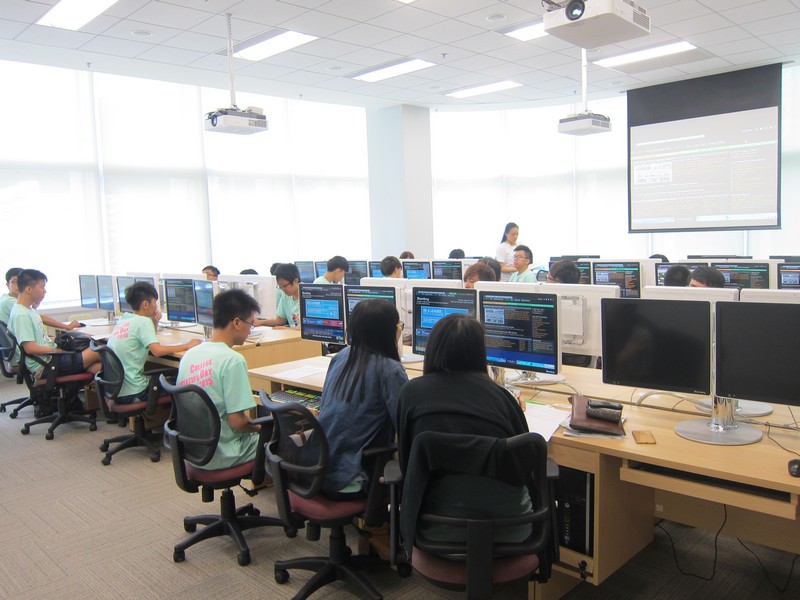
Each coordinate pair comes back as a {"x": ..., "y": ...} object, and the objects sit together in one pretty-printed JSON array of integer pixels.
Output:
[{"x": 339, "y": 566}]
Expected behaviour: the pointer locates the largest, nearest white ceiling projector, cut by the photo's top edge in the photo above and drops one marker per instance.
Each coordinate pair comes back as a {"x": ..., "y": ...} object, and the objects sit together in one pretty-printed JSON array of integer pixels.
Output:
[{"x": 603, "y": 22}]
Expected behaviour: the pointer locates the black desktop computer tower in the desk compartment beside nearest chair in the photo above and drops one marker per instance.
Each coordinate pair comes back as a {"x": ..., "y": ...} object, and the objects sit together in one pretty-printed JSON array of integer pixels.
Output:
[{"x": 574, "y": 495}]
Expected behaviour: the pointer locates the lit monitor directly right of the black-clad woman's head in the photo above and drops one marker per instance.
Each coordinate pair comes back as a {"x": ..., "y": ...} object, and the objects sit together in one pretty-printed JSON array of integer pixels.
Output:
[{"x": 522, "y": 330}]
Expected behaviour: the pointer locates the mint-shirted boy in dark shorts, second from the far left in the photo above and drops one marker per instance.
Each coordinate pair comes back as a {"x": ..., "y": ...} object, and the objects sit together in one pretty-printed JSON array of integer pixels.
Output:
[{"x": 27, "y": 325}]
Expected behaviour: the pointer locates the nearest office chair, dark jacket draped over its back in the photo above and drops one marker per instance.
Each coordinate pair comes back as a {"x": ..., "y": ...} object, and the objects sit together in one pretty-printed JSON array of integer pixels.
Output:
[{"x": 480, "y": 556}]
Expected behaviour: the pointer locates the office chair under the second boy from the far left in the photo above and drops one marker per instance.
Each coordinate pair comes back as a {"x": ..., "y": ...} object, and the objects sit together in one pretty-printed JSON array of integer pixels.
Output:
[{"x": 55, "y": 396}]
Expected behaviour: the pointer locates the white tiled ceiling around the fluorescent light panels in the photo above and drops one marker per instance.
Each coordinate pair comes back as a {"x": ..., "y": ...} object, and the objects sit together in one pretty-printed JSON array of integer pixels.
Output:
[{"x": 185, "y": 41}]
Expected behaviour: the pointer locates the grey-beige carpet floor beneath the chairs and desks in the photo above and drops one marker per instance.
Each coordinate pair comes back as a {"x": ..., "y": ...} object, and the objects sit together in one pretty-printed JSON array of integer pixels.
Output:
[{"x": 72, "y": 528}]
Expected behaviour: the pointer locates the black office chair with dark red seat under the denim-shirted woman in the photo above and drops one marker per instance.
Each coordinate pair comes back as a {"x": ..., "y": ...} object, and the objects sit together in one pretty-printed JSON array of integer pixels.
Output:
[{"x": 297, "y": 457}]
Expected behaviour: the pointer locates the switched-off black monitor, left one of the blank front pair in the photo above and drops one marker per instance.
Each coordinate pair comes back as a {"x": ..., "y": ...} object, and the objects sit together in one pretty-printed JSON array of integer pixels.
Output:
[{"x": 657, "y": 344}]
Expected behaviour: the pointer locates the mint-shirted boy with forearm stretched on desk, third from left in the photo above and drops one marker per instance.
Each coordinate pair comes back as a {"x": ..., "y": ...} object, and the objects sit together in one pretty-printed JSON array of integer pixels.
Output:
[{"x": 135, "y": 335}]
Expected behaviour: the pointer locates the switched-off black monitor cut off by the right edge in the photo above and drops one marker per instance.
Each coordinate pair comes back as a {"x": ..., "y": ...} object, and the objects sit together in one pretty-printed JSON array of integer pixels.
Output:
[{"x": 754, "y": 360}]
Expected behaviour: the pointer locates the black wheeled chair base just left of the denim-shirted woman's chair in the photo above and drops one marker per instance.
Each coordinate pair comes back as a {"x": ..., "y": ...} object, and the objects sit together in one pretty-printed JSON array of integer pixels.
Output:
[{"x": 231, "y": 522}]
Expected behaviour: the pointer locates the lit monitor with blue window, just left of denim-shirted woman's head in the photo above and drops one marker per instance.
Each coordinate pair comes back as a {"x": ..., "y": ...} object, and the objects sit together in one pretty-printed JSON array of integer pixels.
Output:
[{"x": 322, "y": 313}]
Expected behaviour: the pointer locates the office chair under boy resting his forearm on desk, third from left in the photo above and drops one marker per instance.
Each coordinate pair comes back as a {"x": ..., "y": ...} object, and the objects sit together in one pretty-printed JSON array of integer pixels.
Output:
[{"x": 109, "y": 382}]
